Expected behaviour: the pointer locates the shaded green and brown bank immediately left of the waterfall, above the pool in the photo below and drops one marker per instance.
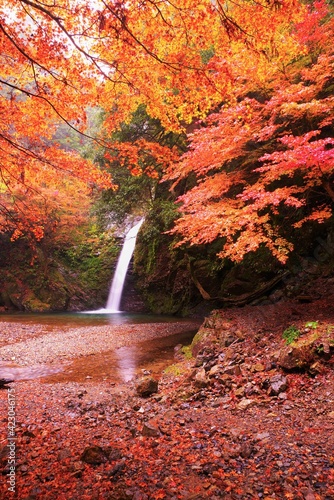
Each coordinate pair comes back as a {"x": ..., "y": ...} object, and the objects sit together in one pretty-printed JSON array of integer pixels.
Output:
[{"x": 72, "y": 276}]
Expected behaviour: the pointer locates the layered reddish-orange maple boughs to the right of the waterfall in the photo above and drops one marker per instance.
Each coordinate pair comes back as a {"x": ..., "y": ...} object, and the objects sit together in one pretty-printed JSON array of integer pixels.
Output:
[{"x": 257, "y": 158}]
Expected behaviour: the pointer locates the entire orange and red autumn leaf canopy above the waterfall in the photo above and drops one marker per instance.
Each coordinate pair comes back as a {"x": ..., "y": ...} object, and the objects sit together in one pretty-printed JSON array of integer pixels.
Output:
[{"x": 251, "y": 83}]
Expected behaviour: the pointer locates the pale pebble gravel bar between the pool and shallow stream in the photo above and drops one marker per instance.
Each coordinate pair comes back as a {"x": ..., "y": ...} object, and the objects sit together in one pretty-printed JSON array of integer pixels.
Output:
[{"x": 30, "y": 345}]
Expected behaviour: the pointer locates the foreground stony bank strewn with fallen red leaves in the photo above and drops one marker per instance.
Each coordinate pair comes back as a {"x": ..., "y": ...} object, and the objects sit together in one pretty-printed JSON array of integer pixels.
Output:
[{"x": 215, "y": 428}]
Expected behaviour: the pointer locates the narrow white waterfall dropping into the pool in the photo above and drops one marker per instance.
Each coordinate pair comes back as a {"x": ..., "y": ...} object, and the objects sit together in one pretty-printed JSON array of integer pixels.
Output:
[{"x": 116, "y": 289}]
